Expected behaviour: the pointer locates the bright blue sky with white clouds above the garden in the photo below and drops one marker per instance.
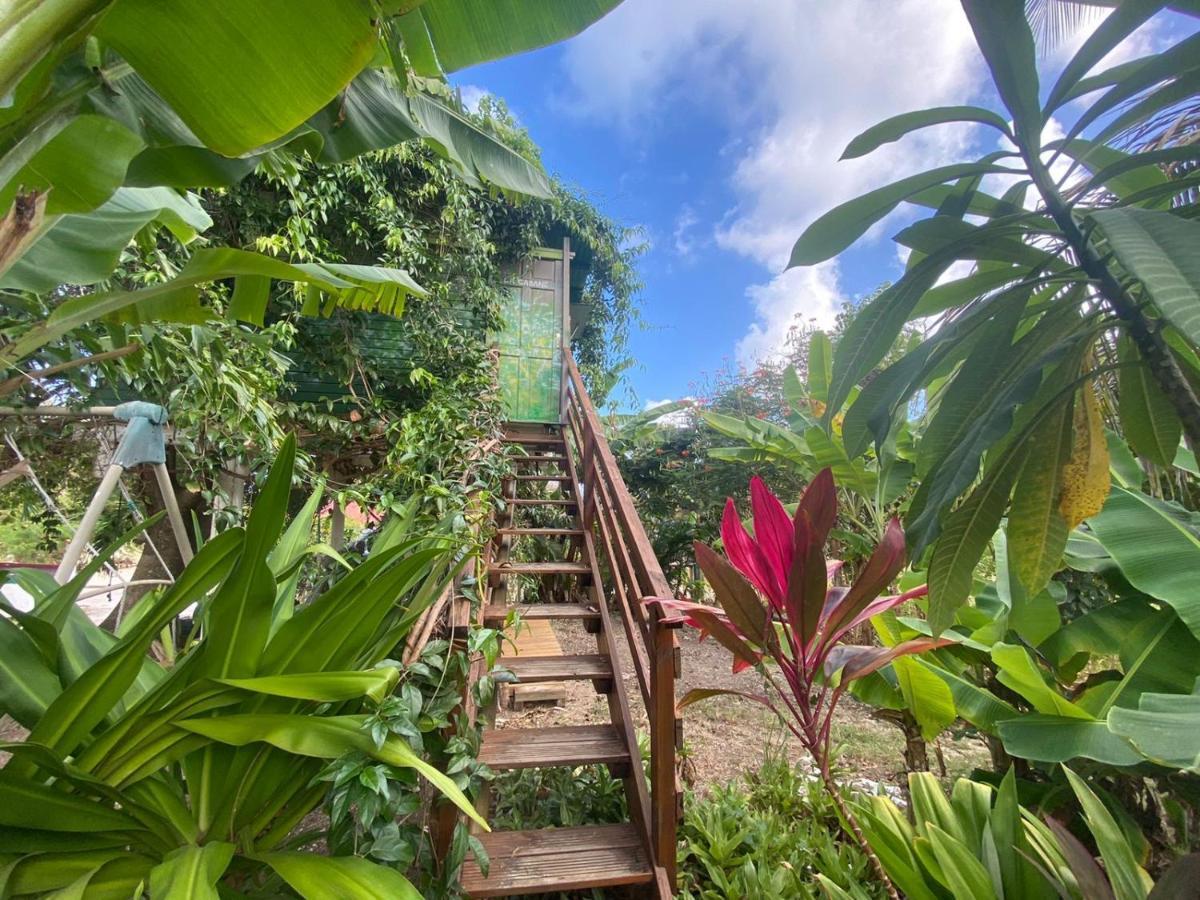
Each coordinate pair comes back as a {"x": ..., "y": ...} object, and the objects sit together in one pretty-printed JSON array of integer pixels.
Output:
[{"x": 717, "y": 128}]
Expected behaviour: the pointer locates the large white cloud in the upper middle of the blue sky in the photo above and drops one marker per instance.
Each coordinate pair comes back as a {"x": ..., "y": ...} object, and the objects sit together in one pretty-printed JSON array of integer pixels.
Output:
[{"x": 793, "y": 82}]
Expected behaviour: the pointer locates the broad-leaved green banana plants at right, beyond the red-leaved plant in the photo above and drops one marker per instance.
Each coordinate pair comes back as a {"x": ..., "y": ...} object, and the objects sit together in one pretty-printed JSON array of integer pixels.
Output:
[{"x": 1115, "y": 686}]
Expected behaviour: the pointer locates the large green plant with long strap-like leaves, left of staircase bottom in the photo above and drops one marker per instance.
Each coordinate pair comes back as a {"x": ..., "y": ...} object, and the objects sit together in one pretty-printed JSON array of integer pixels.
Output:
[{"x": 189, "y": 781}]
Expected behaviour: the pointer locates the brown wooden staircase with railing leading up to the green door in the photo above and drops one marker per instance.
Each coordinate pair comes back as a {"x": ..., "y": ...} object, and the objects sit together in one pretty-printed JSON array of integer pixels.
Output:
[{"x": 571, "y": 470}]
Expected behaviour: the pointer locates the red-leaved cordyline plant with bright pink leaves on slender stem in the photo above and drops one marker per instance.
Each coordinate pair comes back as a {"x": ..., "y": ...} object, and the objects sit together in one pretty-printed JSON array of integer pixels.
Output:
[{"x": 779, "y": 607}]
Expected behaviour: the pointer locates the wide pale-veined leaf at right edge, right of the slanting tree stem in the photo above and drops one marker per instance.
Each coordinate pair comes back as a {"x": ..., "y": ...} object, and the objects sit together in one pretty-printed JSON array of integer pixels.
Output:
[{"x": 1159, "y": 249}]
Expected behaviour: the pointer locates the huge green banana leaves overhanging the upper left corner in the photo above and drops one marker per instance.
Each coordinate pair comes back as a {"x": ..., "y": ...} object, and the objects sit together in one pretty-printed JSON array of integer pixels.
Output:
[{"x": 113, "y": 106}]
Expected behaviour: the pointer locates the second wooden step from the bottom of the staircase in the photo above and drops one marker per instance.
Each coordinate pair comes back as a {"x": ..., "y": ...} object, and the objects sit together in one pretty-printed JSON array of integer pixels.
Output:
[{"x": 566, "y": 746}]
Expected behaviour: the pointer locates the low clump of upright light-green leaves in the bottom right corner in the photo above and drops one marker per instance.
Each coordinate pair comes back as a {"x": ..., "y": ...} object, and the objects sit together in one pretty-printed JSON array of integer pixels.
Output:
[{"x": 981, "y": 843}]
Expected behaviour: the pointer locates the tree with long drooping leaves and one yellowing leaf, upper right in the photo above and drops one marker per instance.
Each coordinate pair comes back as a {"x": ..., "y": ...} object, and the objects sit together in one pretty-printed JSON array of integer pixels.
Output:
[{"x": 1087, "y": 244}]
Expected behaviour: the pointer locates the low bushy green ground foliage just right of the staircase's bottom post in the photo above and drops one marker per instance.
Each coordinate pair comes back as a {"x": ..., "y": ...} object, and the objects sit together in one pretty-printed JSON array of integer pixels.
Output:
[{"x": 767, "y": 837}]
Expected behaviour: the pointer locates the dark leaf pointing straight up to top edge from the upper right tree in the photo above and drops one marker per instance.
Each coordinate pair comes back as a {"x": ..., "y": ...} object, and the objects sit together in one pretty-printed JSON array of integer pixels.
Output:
[{"x": 1004, "y": 37}]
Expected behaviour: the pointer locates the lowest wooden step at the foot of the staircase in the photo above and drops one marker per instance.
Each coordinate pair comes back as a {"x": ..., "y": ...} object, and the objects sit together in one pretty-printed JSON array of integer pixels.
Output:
[{"x": 556, "y": 860}]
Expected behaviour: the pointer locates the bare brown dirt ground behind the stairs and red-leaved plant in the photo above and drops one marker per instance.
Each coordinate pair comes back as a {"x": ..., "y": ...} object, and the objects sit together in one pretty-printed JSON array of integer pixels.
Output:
[{"x": 725, "y": 736}]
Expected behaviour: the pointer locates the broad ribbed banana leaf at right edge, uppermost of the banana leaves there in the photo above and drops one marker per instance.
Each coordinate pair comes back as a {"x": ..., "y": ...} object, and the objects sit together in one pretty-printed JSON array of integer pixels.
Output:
[{"x": 1156, "y": 550}]
